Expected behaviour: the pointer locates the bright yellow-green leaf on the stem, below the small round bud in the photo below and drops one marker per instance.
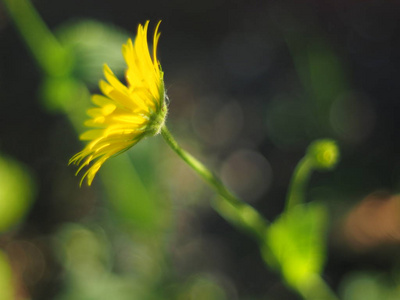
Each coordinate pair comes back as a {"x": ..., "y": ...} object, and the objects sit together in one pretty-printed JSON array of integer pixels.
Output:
[{"x": 295, "y": 243}]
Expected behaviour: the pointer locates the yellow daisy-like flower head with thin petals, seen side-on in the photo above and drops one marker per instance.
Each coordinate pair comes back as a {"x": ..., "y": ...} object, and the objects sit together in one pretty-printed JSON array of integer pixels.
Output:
[{"x": 126, "y": 113}]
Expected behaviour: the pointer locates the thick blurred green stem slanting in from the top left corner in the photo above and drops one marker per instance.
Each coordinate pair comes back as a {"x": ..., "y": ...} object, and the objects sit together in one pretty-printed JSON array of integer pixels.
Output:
[{"x": 50, "y": 55}]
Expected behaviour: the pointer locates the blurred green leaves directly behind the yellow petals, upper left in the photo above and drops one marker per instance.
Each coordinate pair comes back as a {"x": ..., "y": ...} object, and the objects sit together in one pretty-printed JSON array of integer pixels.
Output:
[{"x": 89, "y": 45}]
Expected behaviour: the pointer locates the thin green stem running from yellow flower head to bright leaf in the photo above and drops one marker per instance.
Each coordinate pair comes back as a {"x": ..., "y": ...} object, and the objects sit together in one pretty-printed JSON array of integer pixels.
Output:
[{"x": 235, "y": 211}]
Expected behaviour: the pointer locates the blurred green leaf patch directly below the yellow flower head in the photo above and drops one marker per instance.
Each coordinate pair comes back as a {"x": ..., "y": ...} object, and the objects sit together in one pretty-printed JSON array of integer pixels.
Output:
[{"x": 134, "y": 201}]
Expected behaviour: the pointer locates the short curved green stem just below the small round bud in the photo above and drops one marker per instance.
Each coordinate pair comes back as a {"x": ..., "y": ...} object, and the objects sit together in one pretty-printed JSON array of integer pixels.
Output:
[{"x": 300, "y": 178}]
